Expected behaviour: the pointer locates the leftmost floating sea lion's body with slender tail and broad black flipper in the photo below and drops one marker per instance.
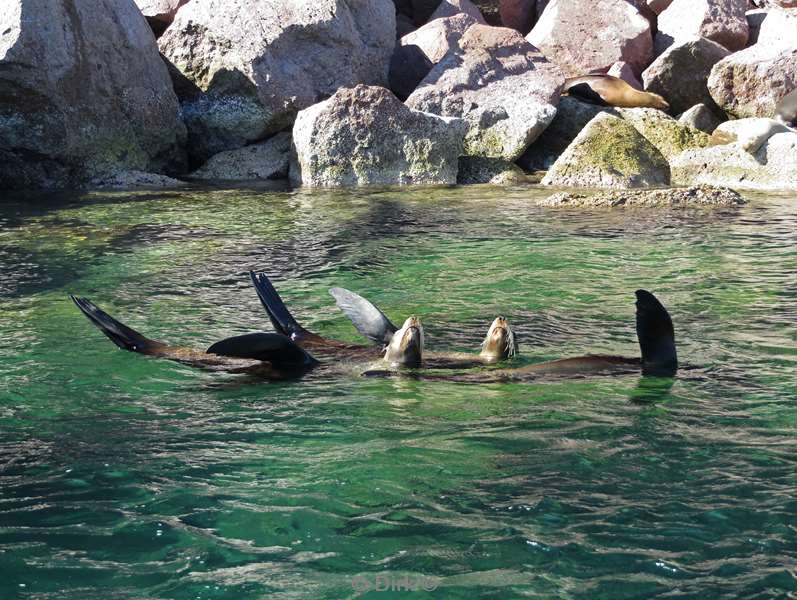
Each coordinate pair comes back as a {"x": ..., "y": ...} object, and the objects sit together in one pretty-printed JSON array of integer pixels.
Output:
[{"x": 267, "y": 355}]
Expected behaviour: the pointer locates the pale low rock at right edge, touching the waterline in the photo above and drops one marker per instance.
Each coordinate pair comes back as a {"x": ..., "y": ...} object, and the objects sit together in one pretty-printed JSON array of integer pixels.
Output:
[{"x": 772, "y": 167}]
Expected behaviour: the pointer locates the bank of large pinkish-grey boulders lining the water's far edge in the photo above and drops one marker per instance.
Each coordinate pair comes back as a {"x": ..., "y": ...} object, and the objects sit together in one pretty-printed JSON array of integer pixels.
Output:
[{"x": 332, "y": 93}]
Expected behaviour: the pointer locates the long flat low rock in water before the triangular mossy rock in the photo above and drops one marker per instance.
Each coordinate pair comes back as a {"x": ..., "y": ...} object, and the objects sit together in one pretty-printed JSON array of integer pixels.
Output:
[{"x": 696, "y": 196}]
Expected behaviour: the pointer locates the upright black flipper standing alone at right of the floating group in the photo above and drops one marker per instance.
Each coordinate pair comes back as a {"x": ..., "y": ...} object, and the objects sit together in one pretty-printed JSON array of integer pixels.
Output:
[{"x": 656, "y": 336}]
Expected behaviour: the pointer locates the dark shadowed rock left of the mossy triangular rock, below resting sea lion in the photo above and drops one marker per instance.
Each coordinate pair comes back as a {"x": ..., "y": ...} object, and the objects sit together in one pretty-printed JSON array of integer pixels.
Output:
[{"x": 571, "y": 118}]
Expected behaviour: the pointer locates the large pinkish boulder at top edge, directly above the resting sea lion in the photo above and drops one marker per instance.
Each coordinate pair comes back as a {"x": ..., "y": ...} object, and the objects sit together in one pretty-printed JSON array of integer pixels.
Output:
[{"x": 581, "y": 41}]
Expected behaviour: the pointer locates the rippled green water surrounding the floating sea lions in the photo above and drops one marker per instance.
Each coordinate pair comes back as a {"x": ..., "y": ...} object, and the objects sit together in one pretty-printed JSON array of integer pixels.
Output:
[{"x": 123, "y": 476}]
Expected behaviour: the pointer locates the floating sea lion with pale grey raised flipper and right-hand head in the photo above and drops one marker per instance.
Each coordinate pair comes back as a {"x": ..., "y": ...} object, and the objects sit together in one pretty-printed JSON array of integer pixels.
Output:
[{"x": 499, "y": 343}]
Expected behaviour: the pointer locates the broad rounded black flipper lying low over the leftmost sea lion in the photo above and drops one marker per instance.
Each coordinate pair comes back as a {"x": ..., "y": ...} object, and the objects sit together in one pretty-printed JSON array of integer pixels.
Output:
[{"x": 277, "y": 349}]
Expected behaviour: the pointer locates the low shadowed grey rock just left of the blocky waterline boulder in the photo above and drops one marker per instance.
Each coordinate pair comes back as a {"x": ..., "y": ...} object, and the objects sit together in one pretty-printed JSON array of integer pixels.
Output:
[{"x": 266, "y": 160}]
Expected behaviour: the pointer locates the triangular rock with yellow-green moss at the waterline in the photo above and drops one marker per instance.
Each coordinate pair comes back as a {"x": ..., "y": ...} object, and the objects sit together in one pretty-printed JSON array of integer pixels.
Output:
[{"x": 611, "y": 153}]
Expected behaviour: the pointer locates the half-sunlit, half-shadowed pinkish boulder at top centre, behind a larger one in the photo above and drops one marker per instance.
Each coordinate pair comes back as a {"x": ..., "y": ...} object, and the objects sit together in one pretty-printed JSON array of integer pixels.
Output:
[{"x": 417, "y": 52}]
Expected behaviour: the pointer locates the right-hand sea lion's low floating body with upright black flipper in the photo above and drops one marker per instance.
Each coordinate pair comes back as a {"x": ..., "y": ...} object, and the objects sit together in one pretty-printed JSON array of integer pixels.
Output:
[{"x": 655, "y": 334}]
